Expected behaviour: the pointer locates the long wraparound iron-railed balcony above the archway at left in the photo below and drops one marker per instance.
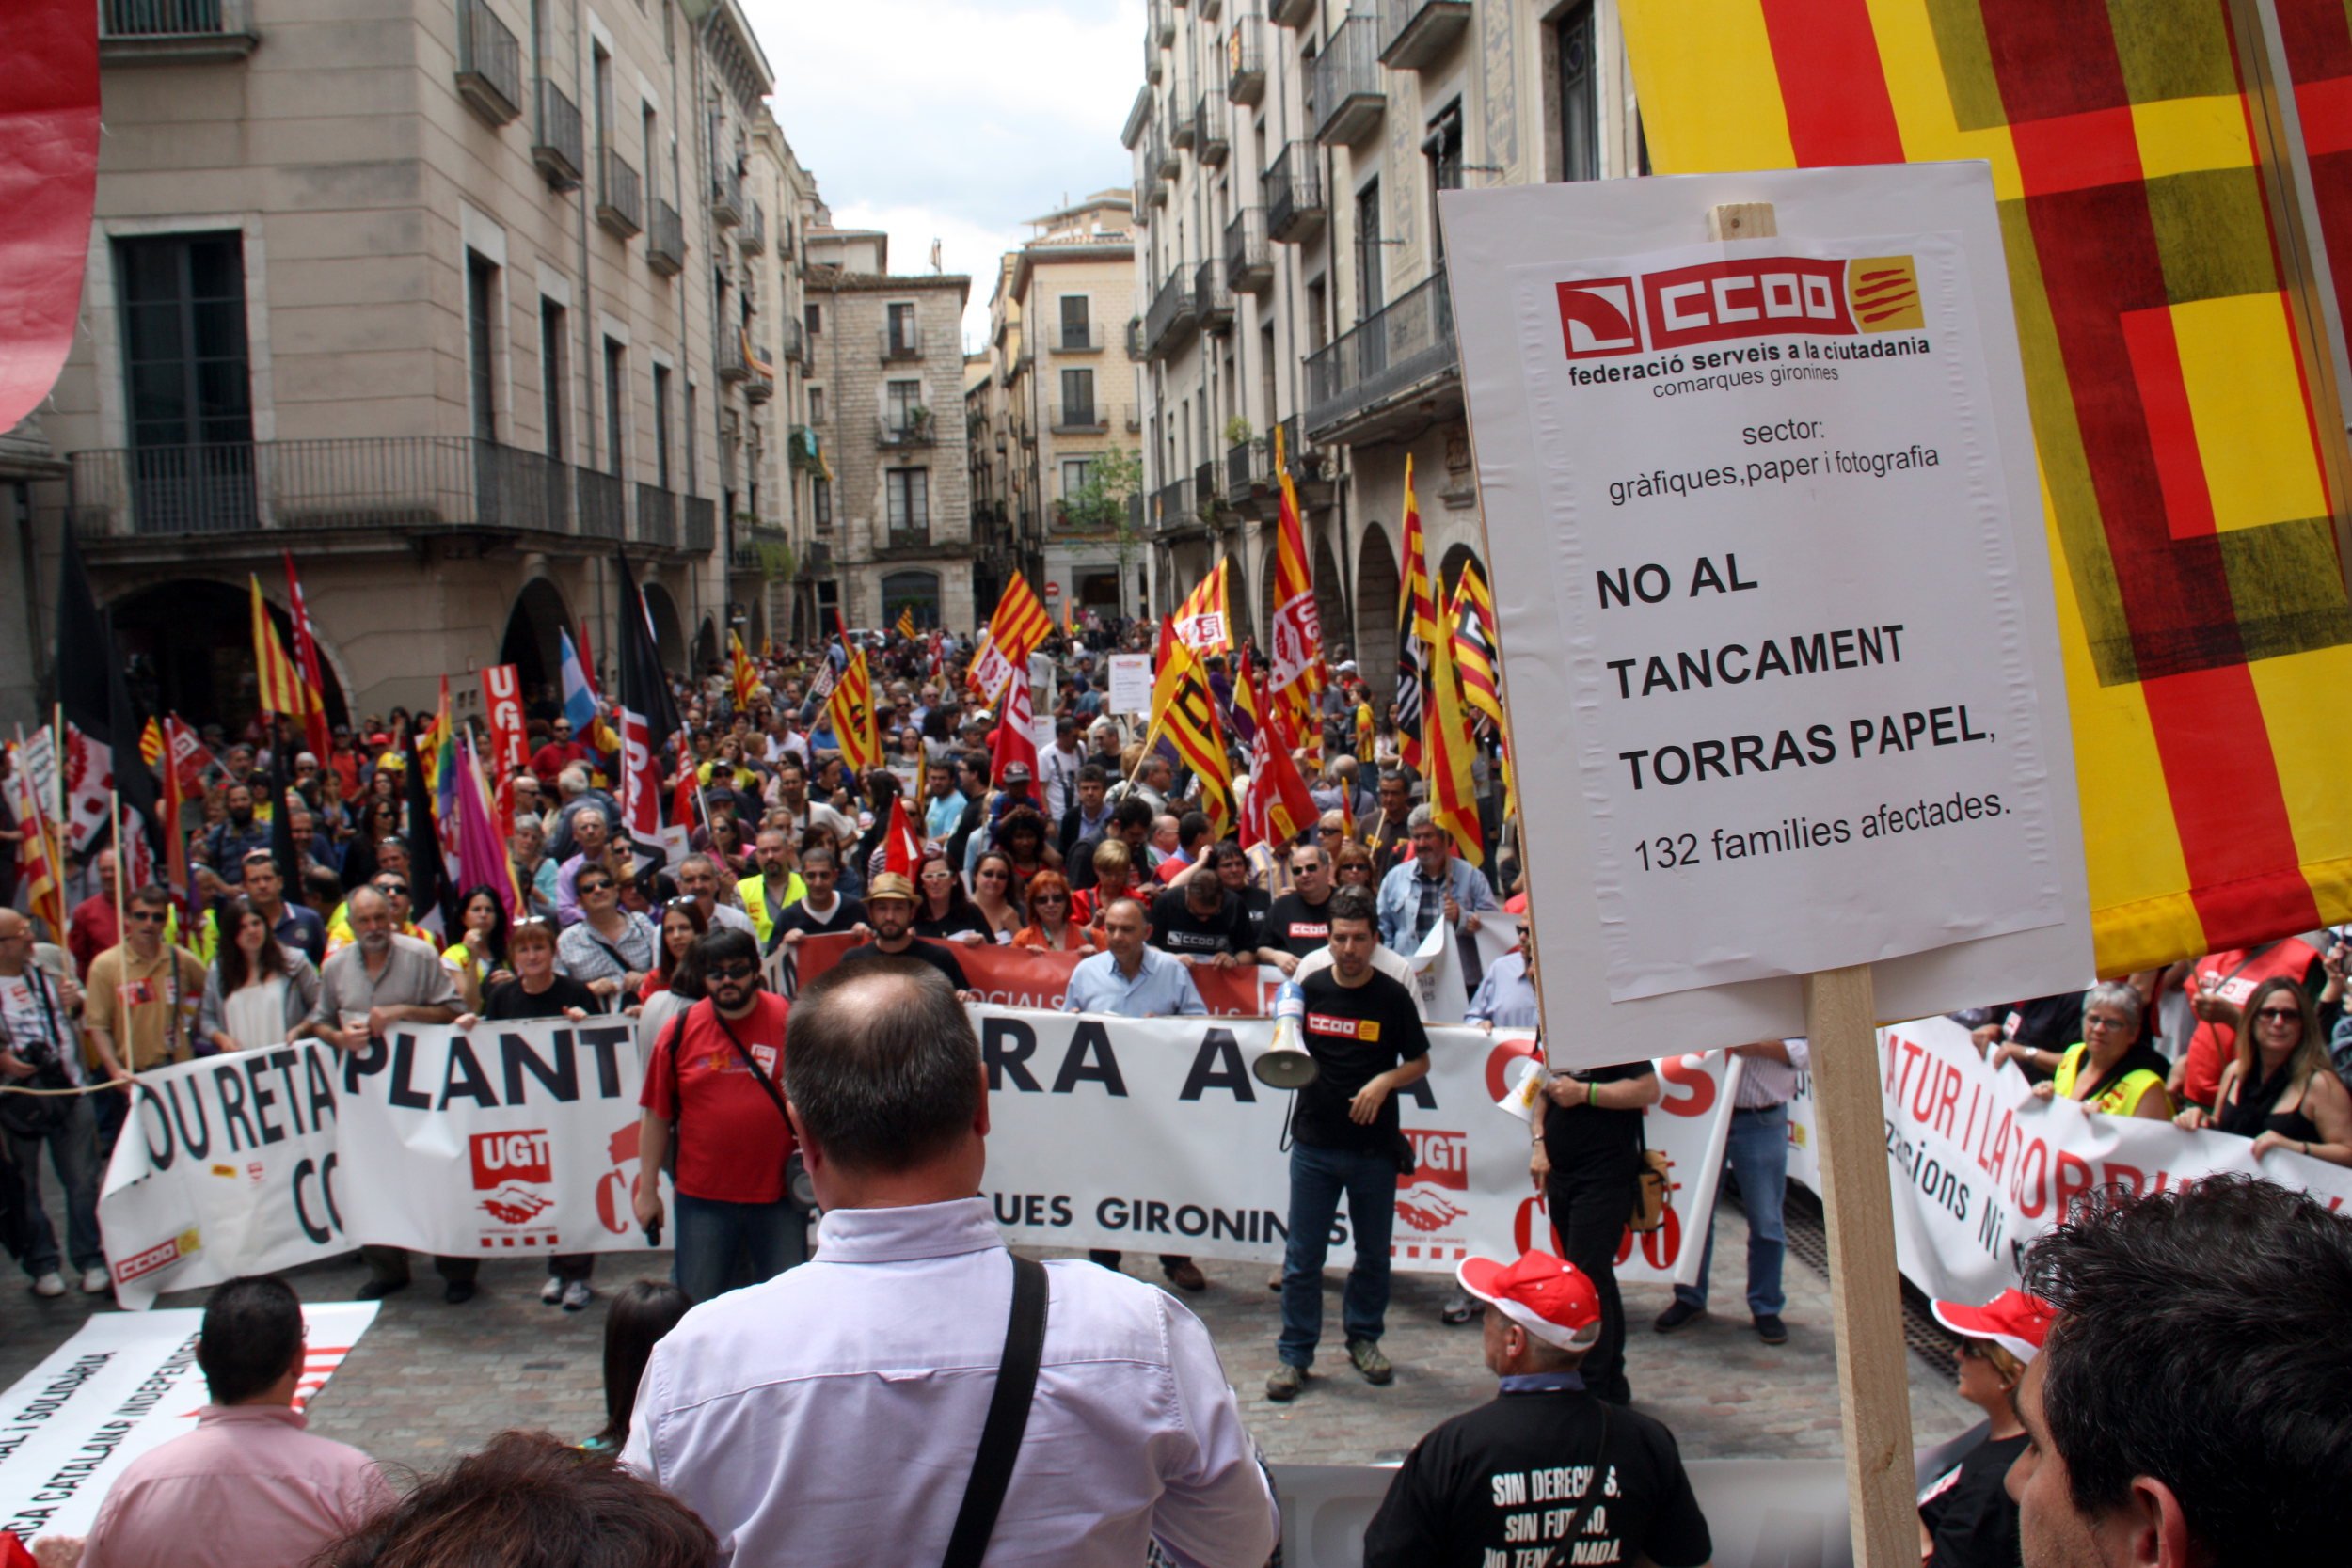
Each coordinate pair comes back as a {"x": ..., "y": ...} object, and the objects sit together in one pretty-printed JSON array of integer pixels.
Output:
[{"x": 396, "y": 485}]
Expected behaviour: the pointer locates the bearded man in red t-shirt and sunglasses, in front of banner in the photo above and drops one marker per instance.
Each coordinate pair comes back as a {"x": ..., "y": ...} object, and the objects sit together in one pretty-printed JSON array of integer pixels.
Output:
[{"x": 716, "y": 1083}]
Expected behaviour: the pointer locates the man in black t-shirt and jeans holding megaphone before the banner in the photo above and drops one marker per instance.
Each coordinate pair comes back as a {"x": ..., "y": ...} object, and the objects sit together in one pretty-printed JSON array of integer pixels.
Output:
[{"x": 1347, "y": 1137}]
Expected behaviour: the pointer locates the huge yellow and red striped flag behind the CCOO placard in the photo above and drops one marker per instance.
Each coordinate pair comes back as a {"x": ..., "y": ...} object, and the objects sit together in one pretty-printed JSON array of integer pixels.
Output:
[{"x": 2170, "y": 363}]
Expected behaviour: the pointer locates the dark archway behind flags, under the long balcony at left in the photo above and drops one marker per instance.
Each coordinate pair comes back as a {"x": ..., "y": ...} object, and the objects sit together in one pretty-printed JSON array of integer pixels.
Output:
[{"x": 189, "y": 648}]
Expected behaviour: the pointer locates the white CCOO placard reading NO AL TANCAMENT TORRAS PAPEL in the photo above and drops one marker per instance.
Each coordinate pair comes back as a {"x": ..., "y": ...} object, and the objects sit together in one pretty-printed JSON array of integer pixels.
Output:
[{"x": 1843, "y": 676}]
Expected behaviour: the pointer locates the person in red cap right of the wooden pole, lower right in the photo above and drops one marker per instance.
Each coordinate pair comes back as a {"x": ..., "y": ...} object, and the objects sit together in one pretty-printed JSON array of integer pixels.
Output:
[{"x": 1965, "y": 1510}]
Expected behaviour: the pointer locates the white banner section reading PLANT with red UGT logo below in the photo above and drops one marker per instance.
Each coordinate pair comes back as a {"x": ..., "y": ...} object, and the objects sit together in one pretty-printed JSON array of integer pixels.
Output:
[{"x": 507, "y": 1139}]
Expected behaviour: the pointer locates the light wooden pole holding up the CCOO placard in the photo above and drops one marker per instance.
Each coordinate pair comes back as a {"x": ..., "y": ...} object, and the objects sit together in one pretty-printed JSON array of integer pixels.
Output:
[{"x": 1866, "y": 1292}]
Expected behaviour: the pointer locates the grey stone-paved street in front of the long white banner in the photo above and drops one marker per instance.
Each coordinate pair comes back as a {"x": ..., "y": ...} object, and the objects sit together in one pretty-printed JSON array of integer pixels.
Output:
[{"x": 434, "y": 1381}]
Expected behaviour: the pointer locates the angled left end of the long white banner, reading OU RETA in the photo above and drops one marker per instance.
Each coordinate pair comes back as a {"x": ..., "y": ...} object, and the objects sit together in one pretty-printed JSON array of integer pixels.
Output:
[{"x": 227, "y": 1167}]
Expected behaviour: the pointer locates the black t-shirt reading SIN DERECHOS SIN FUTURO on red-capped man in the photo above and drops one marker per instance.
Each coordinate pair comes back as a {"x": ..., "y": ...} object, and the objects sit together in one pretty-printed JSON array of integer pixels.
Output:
[{"x": 1542, "y": 1477}]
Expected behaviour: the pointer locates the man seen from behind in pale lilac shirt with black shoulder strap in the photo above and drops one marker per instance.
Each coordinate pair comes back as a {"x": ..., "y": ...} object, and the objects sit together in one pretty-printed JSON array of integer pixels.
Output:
[{"x": 848, "y": 1398}]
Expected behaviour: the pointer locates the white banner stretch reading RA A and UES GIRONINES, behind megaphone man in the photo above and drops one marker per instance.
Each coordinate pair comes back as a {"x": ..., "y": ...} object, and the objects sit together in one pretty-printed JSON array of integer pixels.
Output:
[{"x": 1151, "y": 1132}]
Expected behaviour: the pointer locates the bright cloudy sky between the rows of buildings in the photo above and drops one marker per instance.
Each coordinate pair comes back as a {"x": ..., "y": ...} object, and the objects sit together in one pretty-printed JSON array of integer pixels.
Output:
[{"x": 954, "y": 121}]
